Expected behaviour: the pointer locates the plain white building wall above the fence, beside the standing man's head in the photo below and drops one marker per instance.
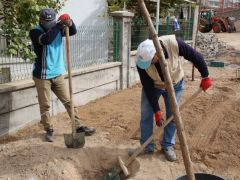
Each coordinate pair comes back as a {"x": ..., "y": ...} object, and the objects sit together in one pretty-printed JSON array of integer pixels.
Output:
[{"x": 86, "y": 12}]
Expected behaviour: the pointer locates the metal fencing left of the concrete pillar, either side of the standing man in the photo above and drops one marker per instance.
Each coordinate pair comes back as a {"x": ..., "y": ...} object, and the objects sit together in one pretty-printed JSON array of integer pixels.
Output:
[{"x": 92, "y": 45}]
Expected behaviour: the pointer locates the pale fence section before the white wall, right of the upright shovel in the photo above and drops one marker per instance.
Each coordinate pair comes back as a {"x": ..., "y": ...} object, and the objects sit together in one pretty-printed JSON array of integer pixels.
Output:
[{"x": 89, "y": 46}]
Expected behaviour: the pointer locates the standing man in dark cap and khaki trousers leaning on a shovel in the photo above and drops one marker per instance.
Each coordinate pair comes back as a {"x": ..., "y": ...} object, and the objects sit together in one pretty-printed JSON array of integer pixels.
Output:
[{"x": 49, "y": 66}]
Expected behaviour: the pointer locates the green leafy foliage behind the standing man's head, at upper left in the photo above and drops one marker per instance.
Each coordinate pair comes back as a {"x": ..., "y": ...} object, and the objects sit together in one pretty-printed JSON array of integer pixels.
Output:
[{"x": 19, "y": 17}]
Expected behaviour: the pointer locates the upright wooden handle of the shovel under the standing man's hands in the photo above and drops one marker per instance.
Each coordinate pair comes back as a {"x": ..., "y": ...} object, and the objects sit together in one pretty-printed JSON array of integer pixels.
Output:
[{"x": 69, "y": 65}]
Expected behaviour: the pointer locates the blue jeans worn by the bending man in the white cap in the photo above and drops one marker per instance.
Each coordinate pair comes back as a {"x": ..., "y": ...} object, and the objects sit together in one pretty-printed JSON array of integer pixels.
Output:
[{"x": 146, "y": 123}]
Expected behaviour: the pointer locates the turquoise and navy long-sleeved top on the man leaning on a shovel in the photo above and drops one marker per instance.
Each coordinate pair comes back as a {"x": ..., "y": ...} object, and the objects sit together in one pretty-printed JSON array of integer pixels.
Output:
[{"x": 48, "y": 47}]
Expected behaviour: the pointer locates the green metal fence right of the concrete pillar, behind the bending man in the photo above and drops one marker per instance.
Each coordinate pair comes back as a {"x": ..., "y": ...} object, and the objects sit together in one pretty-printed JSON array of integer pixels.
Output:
[{"x": 140, "y": 30}]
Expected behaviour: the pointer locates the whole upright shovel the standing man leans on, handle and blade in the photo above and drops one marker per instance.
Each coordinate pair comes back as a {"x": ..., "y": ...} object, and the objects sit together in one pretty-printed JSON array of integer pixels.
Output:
[{"x": 74, "y": 140}]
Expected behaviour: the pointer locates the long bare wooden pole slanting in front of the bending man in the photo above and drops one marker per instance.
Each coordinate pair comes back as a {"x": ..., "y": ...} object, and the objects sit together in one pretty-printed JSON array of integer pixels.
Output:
[{"x": 171, "y": 93}]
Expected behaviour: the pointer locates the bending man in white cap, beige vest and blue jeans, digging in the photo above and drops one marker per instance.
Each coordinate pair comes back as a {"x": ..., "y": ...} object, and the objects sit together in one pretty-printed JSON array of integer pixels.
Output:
[{"x": 153, "y": 87}]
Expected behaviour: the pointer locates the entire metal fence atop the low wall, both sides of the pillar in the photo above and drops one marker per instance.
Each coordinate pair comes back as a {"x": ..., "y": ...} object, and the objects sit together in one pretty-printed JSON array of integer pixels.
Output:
[{"x": 92, "y": 45}]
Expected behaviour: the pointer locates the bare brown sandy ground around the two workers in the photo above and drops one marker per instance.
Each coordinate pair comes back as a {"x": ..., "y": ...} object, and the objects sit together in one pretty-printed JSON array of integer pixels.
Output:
[{"x": 211, "y": 122}]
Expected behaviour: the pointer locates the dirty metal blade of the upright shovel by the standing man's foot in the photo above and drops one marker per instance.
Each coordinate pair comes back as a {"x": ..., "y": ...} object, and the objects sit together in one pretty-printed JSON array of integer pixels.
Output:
[{"x": 74, "y": 141}]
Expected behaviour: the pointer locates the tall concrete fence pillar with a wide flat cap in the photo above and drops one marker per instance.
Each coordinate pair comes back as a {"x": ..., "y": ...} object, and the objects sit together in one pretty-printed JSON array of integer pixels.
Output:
[{"x": 124, "y": 18}]
